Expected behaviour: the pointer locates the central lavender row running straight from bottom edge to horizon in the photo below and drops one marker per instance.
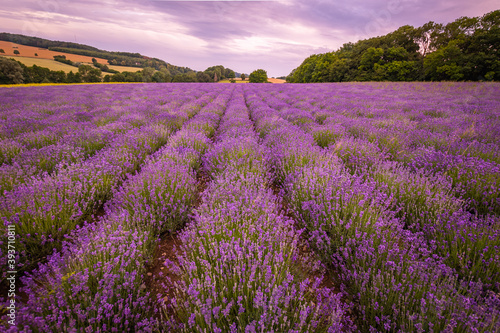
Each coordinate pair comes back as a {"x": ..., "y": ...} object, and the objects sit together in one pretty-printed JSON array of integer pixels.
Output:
[{"x": 239, "y": 263}]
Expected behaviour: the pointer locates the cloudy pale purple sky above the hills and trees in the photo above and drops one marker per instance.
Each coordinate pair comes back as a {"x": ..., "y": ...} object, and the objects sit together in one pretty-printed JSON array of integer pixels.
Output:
[{"x": 242, "y": 35}]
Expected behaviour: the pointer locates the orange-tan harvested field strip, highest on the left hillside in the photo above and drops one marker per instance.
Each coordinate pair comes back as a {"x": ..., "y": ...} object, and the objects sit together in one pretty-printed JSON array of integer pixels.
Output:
[{"x": 29, "y": 51}]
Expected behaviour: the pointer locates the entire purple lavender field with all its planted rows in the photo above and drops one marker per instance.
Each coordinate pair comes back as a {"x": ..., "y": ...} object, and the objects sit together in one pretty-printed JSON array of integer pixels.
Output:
[{"x": 360, "y": 207}]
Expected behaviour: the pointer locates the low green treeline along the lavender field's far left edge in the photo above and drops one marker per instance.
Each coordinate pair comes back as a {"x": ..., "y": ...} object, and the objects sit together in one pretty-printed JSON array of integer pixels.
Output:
[{"x": 14, "y": 72}]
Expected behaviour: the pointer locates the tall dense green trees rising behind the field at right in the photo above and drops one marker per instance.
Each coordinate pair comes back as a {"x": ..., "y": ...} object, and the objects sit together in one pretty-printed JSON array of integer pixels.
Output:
[{"x": 467, "y": 49}]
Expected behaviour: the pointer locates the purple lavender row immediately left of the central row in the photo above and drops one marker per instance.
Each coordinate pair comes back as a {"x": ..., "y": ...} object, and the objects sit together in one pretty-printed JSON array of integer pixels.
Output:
[{"x": 96, "y": 283}]
